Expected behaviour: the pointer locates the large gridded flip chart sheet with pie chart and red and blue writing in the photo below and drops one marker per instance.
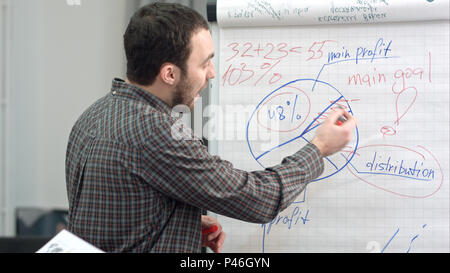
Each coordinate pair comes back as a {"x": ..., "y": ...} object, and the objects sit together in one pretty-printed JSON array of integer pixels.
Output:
[{"x": 394, "y": 78}]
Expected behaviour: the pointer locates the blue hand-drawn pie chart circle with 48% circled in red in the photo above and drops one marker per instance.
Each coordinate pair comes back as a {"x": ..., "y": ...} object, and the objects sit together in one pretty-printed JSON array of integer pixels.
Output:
[{"x": 286, "y": 119}]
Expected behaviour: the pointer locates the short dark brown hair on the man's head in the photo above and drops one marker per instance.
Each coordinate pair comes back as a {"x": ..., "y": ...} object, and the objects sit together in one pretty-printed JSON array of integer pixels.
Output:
[{"x": 159, "y": 33}]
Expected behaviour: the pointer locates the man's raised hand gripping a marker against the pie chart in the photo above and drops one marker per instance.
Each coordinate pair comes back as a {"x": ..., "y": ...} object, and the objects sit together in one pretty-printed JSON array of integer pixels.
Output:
[{"x": 330, "y": 137}]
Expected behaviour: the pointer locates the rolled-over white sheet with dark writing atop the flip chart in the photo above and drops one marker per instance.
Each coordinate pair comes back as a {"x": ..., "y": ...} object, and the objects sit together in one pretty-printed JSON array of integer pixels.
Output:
[{"x": 232, "y": 13}]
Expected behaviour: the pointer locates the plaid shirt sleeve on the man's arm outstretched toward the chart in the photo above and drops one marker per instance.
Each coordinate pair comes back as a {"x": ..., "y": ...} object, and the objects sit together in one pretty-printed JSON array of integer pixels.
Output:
[{"x": 184, "y": 170}]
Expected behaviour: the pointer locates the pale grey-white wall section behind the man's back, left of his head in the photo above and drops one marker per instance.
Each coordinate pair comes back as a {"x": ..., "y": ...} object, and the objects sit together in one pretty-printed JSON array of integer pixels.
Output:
[{"x": 63, "y": 59}]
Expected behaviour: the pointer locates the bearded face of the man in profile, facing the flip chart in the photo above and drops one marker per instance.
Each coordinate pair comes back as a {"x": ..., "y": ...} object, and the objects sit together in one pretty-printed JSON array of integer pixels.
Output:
[{"x": 199, "y": 70}]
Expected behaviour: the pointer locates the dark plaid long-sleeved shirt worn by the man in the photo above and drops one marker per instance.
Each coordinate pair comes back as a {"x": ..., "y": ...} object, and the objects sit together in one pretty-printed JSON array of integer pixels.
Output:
[{"x": 132, "y": 187}]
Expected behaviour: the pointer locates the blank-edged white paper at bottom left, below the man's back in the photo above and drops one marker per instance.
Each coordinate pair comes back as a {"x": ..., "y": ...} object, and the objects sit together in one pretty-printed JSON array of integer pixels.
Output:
[{"x": 66, "y": 242}]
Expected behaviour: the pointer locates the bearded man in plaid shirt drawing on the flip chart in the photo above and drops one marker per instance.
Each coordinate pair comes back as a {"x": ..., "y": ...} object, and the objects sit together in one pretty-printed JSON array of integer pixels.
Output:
[{"x": 132, "y": 187}]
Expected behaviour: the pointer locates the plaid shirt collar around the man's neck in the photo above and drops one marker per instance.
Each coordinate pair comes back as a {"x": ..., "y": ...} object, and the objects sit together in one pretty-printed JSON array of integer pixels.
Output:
[{"x": 124, "y": 89}]
